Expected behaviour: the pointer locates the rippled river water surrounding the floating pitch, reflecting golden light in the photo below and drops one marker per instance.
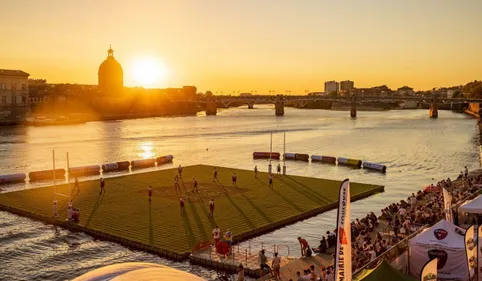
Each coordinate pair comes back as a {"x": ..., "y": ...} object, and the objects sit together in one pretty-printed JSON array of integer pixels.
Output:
[{"x": 416, "y": 149}]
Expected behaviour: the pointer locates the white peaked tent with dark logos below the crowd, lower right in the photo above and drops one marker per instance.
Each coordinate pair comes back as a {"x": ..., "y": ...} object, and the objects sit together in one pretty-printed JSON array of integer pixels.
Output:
[{"x": 445, "y": 241}]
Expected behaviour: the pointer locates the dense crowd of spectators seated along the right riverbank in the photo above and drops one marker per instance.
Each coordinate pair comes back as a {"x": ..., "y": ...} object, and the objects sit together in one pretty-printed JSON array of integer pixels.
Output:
[{"x": 426, "y": 207}]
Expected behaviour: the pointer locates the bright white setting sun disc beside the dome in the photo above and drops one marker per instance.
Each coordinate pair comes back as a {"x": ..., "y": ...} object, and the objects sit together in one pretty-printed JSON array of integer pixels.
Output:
[{"x": 149, "y": 72}]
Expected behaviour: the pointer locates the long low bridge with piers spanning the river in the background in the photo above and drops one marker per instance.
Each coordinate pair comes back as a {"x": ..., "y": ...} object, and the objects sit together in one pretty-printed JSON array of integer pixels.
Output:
[{"x": 212, "y": 103}]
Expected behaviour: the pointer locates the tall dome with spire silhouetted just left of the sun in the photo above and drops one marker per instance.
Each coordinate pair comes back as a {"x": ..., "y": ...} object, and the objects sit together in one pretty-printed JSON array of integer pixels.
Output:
[{"x": 111, "y": 76}]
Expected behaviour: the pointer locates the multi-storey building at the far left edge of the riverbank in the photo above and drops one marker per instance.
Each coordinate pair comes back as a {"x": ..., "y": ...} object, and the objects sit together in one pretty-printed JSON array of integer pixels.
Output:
[{"x": 14, "y": 97}]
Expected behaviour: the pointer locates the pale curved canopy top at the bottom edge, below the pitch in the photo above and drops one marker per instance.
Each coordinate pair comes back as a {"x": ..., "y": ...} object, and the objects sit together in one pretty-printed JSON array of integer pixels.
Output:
[{"x": 139, "y": 271}]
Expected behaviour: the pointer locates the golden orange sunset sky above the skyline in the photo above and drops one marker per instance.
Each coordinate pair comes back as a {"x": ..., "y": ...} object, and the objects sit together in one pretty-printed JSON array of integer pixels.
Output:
[{"x": 245, "y": 45}]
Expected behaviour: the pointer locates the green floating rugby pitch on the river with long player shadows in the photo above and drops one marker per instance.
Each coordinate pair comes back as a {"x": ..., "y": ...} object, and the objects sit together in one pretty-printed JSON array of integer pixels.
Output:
[{"x": 123, "y": 213}]
